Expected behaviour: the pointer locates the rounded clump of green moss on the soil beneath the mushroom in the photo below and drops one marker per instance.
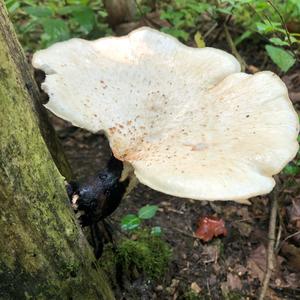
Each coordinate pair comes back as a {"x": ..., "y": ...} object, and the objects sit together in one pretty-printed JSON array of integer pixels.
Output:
[{"x": 146, "y": 253}]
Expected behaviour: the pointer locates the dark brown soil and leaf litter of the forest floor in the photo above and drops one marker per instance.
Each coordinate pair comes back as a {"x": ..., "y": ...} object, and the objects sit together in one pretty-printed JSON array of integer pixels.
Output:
[{"x": 230, "y": 267}]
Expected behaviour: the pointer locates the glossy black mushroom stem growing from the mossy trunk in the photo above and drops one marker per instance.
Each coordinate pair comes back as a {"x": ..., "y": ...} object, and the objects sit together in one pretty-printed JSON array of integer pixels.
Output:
[{"x": 98, "y": 198}]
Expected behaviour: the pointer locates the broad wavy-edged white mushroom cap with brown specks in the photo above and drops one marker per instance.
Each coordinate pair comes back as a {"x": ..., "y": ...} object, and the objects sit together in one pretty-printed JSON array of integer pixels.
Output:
[{"x": 186, "y": 119}]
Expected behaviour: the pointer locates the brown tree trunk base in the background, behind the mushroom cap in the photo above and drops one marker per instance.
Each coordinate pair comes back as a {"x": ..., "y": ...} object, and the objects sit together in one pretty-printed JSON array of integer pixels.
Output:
[{"x": 120, "y": 11}]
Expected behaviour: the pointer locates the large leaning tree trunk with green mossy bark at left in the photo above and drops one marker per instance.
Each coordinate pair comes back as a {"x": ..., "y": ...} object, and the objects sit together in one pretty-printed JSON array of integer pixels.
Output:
[{"x": 43, "y": 253}]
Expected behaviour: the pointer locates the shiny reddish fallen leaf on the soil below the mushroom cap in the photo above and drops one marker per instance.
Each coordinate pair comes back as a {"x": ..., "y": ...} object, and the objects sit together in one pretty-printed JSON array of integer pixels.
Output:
[{"x": 209, "y": 227}]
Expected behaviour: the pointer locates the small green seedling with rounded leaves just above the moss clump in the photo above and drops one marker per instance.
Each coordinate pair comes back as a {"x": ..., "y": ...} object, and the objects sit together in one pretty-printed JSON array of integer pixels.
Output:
[{"x": 132, "y": 221}]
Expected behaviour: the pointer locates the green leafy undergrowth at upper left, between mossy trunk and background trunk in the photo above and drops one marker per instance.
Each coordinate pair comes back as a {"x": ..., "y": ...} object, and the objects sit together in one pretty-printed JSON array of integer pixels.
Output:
[{"x": 42, "y": 23}]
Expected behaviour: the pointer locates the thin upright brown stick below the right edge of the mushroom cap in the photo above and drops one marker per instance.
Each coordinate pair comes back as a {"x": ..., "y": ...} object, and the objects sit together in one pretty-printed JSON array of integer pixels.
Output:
[{"x": 271, "y": 244}]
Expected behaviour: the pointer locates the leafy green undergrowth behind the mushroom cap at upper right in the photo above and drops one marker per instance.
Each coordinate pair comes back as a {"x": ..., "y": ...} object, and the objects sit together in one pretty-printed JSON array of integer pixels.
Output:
[{"x": 257, "y": 18}]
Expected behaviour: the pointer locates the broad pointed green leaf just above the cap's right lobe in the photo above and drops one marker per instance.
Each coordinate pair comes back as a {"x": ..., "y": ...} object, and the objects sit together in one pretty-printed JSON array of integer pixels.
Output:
[{"x": 282, "y": 58}]
